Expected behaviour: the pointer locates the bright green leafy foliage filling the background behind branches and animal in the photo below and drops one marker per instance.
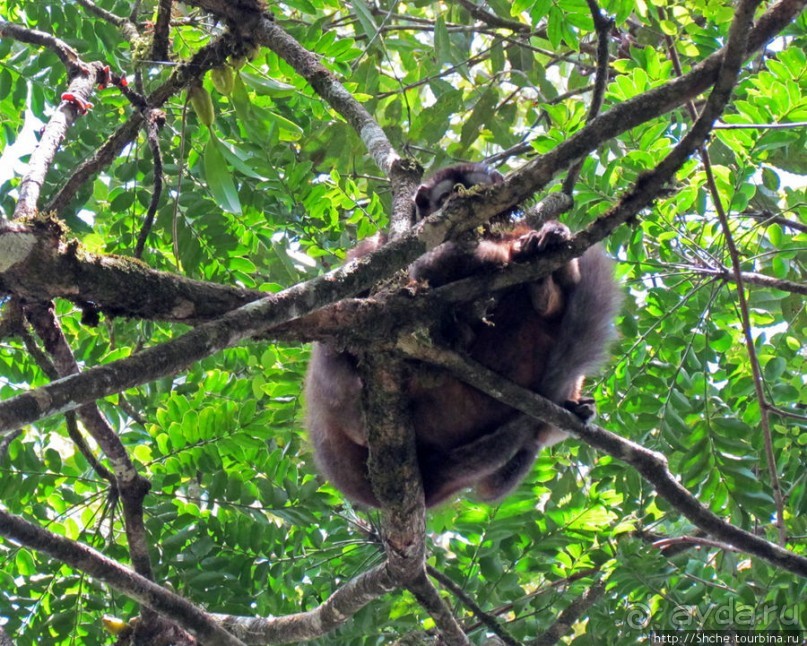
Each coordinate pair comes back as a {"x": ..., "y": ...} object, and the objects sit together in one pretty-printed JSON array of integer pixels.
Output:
[{"x": 279, "y": 187}]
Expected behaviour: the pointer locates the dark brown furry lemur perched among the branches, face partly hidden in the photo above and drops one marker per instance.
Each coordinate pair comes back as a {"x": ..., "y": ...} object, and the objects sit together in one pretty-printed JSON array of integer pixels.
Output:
[{"x": 544, "y": 335}]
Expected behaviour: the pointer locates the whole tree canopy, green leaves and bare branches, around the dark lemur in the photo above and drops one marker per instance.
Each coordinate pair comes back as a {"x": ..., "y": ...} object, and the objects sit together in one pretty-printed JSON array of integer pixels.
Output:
[{"x": 179, "y": 186}]
